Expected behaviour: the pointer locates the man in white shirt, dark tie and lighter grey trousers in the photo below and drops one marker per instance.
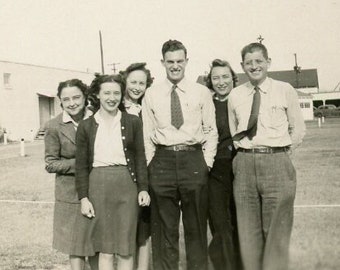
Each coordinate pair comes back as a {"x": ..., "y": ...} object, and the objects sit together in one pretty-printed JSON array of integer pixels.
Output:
[{"x": 266, "y": 124}]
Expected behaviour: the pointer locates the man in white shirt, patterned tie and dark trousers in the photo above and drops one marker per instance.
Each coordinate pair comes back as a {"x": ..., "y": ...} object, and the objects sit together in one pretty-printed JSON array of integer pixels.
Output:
[{"x": 180, "y": 143}]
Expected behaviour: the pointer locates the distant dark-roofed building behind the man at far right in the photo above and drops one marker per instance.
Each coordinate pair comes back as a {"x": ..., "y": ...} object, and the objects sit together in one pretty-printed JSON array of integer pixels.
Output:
[{"x": 306, "y": 82}]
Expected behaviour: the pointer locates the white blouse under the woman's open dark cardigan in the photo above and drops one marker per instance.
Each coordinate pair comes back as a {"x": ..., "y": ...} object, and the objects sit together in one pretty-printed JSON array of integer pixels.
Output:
[{"x": 108, "y": 146}]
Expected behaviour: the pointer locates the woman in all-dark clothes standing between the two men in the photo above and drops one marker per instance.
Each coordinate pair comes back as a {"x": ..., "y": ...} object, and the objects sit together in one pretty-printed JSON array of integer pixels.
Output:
[{"x": 224, "y": 248}]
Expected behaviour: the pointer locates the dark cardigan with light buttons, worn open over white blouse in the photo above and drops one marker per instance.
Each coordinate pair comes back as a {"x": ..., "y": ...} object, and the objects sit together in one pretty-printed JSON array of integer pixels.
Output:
[{"x": 132, "y": 138}]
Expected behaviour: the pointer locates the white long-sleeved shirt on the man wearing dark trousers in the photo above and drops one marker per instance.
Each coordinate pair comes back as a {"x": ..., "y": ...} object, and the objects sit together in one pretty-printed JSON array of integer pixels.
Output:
[{"x": 198, "y": 112}]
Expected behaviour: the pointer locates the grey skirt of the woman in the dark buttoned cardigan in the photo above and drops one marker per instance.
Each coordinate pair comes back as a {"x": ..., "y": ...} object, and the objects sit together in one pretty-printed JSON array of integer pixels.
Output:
[{"x": 114, "y": 198}]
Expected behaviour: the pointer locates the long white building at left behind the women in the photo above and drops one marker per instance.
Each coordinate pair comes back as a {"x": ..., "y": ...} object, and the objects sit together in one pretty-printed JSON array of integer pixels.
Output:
[{"x": 28, "y": 96}]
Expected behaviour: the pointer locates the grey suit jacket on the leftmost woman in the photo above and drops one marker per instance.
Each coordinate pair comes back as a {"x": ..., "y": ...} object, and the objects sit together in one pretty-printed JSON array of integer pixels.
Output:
[{"x": 60, "y": 149}]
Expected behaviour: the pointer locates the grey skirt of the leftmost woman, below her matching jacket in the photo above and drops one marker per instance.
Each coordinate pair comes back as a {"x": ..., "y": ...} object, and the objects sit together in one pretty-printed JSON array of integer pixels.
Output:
[{"x": 70, "y": 230}]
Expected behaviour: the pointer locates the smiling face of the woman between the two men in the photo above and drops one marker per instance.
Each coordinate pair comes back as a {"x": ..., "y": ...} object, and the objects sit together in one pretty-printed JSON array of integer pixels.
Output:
[{"x": 222, "y": 81}]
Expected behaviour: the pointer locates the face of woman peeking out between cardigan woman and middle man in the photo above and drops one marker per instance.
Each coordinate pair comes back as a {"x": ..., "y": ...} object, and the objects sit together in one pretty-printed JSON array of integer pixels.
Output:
[{"x": 135, "y": 85}]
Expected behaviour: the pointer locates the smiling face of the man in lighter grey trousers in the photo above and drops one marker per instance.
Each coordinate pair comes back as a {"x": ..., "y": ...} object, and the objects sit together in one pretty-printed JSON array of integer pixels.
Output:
[{"x": 255, "y": 65}]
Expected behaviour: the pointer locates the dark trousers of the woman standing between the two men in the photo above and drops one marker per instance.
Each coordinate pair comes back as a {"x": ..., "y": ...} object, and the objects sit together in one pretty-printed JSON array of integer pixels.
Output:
[{"x": 224, "y": 247}]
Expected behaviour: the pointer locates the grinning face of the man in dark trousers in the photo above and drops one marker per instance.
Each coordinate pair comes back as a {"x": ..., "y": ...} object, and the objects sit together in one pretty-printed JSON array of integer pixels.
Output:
[{"x": 175, "y": 63}]
